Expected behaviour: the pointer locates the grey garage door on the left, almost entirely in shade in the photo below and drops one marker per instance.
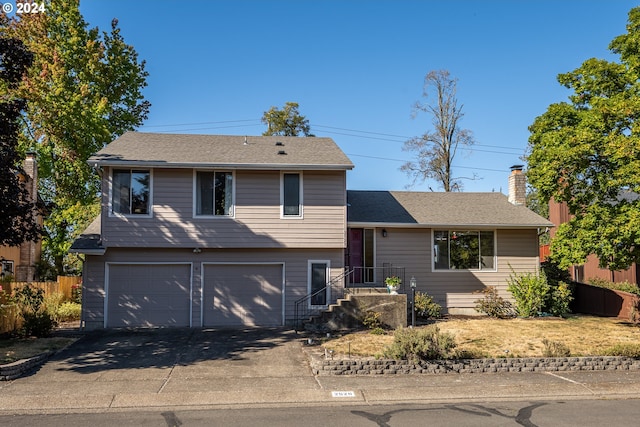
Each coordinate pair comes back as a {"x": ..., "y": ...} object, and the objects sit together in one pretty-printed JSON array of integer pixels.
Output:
[{"x": 148, "y": 295}]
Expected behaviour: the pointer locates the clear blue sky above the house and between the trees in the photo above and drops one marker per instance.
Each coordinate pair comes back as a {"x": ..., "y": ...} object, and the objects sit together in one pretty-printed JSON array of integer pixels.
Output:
[{"x": 357, "y": 67}]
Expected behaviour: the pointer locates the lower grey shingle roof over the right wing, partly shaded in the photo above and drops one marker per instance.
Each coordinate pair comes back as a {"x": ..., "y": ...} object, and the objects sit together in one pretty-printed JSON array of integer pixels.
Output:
[{"x": 409, "y": 208}]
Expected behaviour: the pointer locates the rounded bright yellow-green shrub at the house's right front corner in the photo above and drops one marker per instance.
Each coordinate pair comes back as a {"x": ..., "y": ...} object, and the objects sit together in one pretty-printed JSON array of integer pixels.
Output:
[{"x": 530, "y": 293}]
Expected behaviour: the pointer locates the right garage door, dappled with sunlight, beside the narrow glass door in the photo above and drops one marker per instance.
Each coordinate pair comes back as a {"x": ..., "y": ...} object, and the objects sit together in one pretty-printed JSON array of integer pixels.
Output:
[{"x": 242, "y": 295}]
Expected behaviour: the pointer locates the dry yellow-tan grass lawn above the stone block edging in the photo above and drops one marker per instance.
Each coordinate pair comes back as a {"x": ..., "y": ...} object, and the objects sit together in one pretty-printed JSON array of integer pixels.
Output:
[{"x": 488, "y": 337}]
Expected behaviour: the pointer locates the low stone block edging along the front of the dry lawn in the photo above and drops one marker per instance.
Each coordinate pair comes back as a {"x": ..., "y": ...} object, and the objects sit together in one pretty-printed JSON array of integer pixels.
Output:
[{"x": 320, "y": 366}]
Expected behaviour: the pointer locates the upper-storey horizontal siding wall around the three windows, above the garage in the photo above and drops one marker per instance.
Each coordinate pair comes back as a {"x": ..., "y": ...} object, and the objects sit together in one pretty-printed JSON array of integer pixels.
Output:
[{"x": 257, "y": 222}]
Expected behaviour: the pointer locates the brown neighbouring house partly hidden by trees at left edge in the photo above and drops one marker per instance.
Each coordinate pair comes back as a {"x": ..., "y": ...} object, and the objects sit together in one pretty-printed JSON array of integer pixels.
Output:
[{"x": 19, "y": 262}]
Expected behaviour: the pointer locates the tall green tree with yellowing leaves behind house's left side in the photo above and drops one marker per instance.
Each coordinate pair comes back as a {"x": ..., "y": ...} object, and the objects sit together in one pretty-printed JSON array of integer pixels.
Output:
[{"x": 83, "y": 90}]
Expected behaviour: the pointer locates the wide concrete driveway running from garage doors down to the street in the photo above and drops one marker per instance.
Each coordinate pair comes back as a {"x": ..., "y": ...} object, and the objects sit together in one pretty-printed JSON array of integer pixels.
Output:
[{"x": 165, "y": 367}]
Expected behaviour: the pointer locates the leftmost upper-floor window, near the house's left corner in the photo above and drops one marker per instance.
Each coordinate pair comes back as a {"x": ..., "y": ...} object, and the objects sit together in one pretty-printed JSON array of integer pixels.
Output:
[{"x": 130, "y": 192}]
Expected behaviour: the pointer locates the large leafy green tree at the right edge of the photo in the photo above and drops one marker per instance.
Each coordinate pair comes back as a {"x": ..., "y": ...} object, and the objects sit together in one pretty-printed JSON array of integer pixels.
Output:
[{"x": 586, "y": 153}]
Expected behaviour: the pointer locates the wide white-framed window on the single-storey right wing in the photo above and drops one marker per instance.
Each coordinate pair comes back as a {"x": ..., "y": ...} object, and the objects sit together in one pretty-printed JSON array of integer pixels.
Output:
[{"x": 463, "y": 250}]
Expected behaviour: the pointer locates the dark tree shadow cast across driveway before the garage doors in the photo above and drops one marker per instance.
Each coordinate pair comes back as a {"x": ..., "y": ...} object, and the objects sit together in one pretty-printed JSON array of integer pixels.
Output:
[{"x": 169, "y": 347}]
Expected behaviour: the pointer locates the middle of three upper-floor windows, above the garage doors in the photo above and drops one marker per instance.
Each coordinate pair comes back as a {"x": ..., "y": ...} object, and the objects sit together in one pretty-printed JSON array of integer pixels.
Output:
[{"x": 214, "y": 193}]
